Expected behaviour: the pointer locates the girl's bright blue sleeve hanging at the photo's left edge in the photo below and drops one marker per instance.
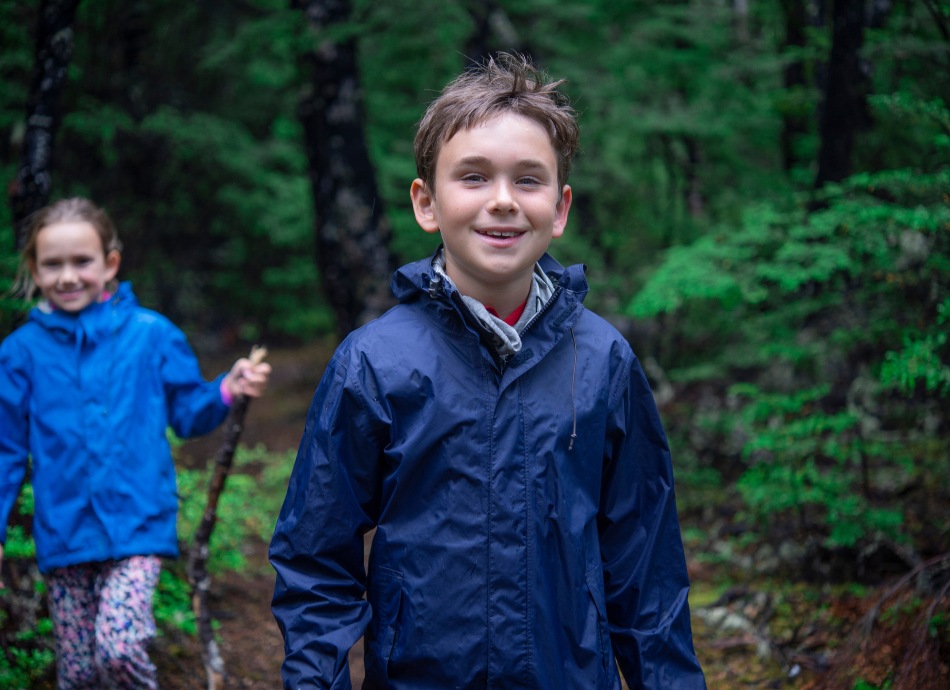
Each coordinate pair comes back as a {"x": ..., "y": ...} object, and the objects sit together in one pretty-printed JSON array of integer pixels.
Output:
[{"x": 14, "y": 429}]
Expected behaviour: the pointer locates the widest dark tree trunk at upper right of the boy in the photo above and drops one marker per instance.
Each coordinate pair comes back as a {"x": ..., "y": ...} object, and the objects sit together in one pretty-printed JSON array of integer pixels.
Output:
[{"x": 844, "y": 110}]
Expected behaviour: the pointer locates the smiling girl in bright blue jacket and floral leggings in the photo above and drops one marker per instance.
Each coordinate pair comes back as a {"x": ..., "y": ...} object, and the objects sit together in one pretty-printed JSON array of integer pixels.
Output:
[{"x": 88, "y": 387}]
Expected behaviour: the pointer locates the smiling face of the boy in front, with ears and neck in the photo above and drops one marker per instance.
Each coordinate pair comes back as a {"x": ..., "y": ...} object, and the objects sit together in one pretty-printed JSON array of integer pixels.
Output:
[{"x": 497, "y": 204}]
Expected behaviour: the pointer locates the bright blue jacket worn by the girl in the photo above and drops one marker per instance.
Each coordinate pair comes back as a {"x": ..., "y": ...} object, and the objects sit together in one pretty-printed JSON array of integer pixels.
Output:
[{"x": 89, "y": 397}]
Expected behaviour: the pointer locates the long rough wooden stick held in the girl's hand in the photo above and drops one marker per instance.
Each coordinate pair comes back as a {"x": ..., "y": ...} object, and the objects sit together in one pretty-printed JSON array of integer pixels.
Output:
[{"x": 198, "y": 575}]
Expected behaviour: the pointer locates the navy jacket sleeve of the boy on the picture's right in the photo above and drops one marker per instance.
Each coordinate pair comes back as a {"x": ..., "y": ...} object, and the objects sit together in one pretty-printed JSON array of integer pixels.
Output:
[{"x": 645, "y": 578}]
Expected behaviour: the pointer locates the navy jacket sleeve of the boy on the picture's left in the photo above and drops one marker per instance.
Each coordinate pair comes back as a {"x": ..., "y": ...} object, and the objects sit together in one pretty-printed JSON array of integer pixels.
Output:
[{"x": 317, "y": 547}]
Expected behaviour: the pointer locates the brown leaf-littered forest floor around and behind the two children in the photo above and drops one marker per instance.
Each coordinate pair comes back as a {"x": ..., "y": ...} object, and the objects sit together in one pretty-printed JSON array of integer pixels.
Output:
[{"x": 751, "y": 630}]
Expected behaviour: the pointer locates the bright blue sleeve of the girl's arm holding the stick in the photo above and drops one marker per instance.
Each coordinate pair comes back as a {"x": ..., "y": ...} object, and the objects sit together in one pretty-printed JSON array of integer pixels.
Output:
[{"x": 195, "y": 406}]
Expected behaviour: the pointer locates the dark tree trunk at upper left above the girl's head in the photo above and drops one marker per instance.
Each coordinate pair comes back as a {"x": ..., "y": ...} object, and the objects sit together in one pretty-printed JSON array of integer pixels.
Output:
[{"x": 31, "y": 189}]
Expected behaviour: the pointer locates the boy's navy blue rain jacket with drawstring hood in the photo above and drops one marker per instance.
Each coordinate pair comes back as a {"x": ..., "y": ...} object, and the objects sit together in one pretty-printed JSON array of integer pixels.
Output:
[{"x": 507, "y": 554}]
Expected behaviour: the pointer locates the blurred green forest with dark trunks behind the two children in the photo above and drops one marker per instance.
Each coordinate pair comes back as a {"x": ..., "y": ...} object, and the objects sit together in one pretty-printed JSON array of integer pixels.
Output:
[{"x": 761, "y": 201}]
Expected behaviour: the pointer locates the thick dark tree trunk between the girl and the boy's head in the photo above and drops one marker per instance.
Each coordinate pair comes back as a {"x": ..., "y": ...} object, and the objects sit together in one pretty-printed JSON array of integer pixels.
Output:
[{"x": 352, "y": 232}]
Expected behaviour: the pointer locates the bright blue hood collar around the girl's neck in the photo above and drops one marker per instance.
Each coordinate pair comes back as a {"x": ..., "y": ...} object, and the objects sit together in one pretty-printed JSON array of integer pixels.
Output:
[{"x": 92, "y": 324}]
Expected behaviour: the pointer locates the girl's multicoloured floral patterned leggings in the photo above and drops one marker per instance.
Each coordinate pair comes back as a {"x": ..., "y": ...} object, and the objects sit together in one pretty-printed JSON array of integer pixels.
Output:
[{"x": 103, "y": 623}]
